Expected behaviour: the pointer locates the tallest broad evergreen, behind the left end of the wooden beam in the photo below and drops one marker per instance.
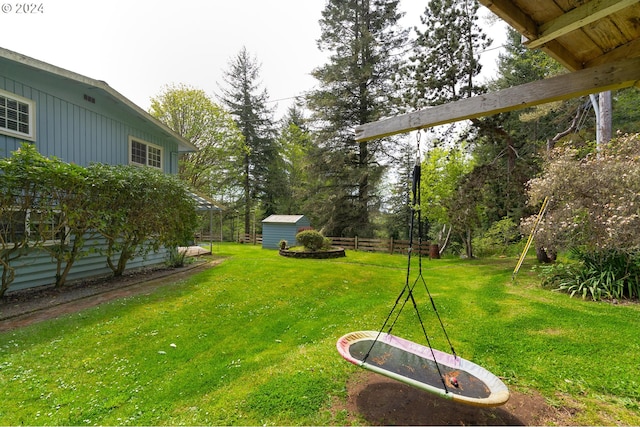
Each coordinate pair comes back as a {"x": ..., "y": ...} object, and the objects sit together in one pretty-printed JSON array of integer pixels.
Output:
[{"x": 357, "y": 86}]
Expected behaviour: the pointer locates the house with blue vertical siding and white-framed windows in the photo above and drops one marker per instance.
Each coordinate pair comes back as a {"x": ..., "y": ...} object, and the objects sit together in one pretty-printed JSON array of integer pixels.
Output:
[{"x": 79, "y": 120}]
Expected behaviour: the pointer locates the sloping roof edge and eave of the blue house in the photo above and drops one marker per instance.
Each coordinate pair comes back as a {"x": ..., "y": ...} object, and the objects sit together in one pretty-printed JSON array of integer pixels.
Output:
[{"x": 60, "y": 75}]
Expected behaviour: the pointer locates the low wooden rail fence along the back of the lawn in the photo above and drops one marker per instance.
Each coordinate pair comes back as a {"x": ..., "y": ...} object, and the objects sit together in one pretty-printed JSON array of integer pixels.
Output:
[{"x": 391, "y": 246}]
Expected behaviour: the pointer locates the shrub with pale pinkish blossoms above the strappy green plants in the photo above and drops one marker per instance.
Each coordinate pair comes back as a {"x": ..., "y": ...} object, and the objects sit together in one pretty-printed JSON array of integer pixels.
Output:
[{"x": 594, "y": 200}]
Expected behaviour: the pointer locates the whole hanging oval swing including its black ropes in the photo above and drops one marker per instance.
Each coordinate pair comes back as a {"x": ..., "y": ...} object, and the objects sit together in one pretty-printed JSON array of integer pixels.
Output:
[{"x": 446, "y": 375}]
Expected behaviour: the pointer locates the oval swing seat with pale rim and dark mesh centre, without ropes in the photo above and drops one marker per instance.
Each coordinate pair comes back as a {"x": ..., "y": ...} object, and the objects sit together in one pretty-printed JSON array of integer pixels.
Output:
[{"x": 450, "y": 377}]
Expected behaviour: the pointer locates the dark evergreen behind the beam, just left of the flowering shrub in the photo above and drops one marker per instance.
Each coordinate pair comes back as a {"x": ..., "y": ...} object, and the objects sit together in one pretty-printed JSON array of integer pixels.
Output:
[{"x": 508, "y": 145}]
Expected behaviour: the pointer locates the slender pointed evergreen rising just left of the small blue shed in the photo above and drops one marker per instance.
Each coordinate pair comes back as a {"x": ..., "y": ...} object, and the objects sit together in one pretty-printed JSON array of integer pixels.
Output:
[{"x": 247, "y": 103}]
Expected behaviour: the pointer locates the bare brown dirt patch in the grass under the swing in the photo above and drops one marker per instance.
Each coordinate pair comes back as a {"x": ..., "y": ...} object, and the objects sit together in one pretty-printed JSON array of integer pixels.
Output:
[{"x": 377, "y": 400}]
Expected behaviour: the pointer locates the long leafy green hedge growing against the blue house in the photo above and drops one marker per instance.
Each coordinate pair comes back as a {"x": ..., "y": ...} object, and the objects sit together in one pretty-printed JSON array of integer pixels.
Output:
[{"x": 52, "y": 206}]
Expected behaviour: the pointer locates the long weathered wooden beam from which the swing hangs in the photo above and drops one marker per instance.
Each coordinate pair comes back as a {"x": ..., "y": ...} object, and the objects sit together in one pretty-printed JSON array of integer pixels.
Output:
[{"x": 601, "y": 78}]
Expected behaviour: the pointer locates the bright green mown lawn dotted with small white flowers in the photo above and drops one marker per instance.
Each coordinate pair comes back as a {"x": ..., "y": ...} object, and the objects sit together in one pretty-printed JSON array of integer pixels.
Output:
[{"x": 252, "y": 341}]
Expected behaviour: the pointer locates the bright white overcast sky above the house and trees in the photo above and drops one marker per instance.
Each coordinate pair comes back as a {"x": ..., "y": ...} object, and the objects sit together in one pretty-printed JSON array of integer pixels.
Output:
[{"x": 138, "y": 46}]
